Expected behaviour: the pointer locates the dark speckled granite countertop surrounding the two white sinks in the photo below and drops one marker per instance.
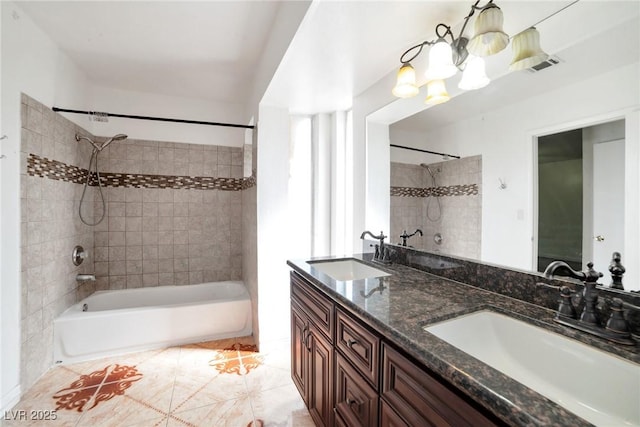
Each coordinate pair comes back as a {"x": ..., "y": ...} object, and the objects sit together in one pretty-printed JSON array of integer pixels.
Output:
[{"x": 412, "y": 299}]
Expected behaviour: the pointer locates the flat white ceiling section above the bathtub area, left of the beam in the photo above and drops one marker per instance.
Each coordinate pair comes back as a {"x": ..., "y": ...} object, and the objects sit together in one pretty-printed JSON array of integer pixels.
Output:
[{"x": 195, "y": 49}]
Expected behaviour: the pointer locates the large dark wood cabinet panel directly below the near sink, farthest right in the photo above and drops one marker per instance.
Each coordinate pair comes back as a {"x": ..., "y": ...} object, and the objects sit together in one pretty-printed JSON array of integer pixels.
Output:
[{"x": 420, "y": 398}]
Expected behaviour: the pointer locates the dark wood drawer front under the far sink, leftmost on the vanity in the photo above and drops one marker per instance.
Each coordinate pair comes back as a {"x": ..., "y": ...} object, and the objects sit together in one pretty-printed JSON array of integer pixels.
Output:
[{"x": 318, "y": 307}]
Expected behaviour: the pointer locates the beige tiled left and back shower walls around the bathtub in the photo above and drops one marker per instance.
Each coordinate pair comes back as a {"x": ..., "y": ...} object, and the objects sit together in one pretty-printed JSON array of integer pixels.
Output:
[{"x": 173, "y": 216}]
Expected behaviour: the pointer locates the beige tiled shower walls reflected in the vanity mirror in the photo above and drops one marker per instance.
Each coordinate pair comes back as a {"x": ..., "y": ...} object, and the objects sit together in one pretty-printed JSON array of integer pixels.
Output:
[{"x": 458, "y": 217}]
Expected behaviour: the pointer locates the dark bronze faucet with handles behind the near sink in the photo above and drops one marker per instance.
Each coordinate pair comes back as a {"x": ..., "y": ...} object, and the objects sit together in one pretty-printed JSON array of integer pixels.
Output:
[{"x": 616, "y": 328}]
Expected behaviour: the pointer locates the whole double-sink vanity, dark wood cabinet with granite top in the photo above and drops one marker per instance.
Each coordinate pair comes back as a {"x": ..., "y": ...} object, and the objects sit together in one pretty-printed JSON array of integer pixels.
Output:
[{"x": 362, "y": 353}]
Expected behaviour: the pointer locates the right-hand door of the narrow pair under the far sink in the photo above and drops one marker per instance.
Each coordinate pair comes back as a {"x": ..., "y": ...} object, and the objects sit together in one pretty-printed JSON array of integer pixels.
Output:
[{"x": 320, "y": 378}]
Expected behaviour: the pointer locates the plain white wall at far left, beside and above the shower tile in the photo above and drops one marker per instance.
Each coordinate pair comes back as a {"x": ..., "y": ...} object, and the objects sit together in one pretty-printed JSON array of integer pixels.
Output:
[{"x": 31, "y": 63}]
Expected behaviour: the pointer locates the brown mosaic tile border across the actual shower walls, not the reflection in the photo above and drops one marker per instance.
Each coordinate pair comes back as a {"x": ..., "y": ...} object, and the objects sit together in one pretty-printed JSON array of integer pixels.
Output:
[{"x": 53, "y": 169}]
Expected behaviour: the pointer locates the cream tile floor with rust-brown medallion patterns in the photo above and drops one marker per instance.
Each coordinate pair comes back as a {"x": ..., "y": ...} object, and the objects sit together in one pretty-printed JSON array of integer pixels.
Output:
[{"x": 217, "y": 383}]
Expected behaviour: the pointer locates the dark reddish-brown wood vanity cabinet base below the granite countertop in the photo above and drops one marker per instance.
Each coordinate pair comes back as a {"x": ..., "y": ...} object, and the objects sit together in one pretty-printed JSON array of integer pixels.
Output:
[{"x": 348, "y": 375}]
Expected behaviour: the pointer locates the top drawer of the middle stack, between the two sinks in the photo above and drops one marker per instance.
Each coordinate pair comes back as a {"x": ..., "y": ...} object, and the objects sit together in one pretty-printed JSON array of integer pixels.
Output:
[{"x": 359, "y": 345}]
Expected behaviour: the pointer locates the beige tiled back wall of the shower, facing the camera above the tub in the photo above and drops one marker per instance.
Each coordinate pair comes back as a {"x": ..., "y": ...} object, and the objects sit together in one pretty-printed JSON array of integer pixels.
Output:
[{"x": 168, "y": 236}]
